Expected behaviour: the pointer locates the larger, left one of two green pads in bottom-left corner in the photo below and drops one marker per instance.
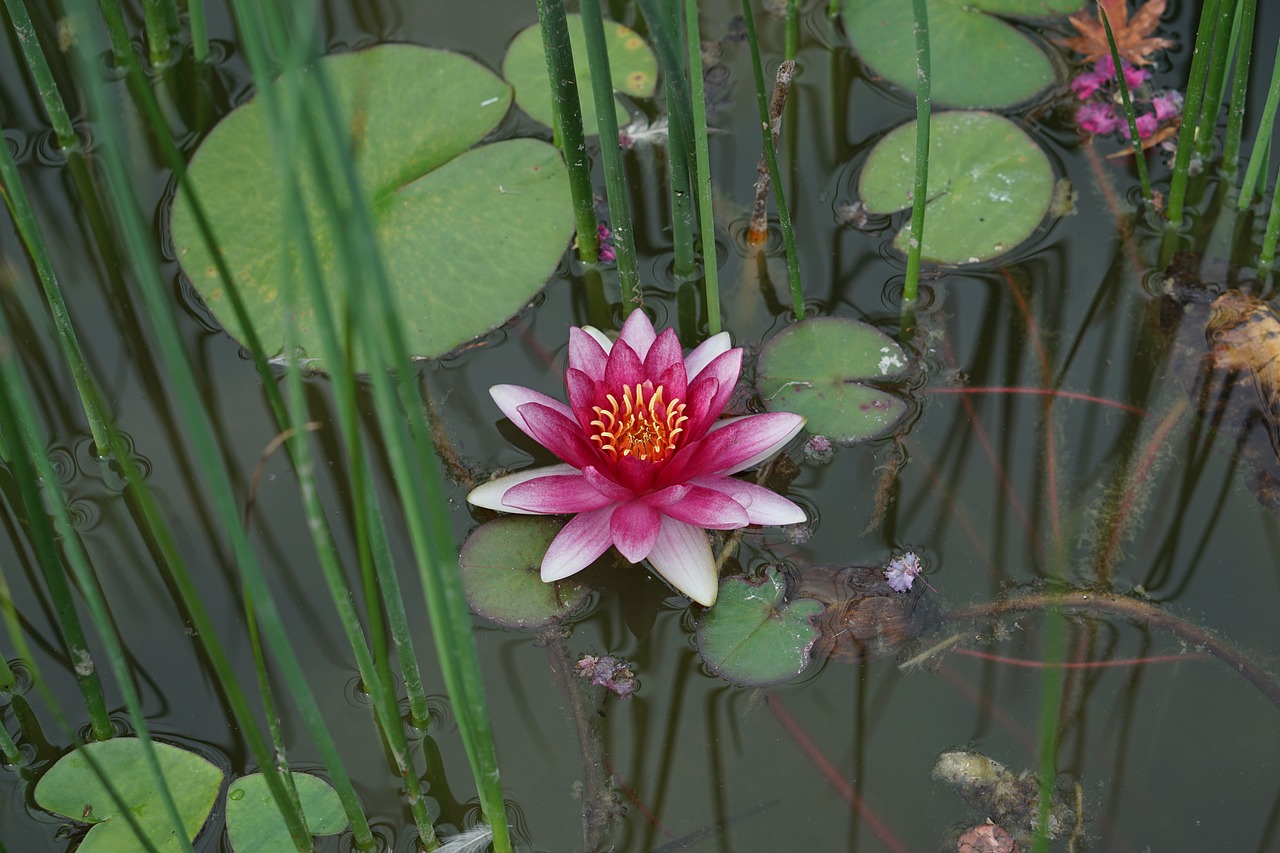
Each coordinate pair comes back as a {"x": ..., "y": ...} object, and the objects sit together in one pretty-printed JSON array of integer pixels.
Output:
[{"x": 74, "y": 788}]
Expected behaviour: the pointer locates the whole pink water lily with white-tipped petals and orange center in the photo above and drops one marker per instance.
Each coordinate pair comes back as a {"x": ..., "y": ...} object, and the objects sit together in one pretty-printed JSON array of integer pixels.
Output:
[{"x": 647, "y": 466}]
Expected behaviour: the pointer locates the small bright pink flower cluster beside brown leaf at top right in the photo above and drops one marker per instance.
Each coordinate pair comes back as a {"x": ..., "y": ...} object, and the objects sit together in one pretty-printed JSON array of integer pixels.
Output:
[{"x": 1101, "y": 111}]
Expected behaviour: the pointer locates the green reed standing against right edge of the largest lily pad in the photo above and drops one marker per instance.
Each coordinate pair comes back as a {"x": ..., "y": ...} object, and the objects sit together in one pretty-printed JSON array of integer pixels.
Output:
[{"x": 568, "y": 111}]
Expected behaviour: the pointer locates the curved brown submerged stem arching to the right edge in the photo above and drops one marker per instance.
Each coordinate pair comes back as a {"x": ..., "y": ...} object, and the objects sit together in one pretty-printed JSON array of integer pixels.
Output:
[{"x": 1137, "y": 610}]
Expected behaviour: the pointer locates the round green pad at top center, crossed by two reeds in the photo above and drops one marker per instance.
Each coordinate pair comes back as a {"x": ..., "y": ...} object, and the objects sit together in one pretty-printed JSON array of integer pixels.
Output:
[{"x": 633, "y": 69}]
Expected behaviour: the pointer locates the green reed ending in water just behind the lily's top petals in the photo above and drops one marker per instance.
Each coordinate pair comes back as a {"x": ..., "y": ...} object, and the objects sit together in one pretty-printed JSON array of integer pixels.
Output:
[{"x": 611, "y": 157}]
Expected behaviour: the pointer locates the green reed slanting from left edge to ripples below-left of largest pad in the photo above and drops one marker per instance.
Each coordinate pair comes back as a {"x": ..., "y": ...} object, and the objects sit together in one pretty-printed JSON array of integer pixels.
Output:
[{"x": 29, "y": 230}]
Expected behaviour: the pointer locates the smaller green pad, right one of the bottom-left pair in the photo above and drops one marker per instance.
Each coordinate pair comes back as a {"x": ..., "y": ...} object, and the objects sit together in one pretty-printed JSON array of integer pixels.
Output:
[{"x": 255, "y": 824}]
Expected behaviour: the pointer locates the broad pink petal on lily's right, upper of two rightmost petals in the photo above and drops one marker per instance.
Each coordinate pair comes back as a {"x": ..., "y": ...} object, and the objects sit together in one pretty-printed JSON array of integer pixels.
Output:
[{"x": 733, "y": 448}]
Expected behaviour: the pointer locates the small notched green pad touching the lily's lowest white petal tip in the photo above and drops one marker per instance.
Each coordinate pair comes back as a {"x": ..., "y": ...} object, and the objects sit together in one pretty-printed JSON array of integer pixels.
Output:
[{"x": 755, "y": 635}]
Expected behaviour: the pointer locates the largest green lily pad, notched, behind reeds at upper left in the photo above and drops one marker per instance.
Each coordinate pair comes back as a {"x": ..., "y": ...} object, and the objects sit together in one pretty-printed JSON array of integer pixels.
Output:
[{"x": 468, "y": 236}]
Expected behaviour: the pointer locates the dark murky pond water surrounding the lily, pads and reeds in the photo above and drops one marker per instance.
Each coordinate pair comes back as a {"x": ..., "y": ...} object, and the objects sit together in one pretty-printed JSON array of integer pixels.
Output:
[{"x": 1172, "y": 750}]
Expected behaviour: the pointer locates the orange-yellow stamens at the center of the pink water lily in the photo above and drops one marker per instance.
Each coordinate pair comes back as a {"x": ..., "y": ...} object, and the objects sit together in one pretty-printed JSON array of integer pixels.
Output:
[{"x": 646, "y": 430}]
